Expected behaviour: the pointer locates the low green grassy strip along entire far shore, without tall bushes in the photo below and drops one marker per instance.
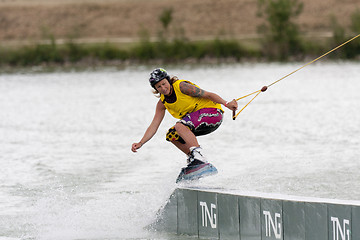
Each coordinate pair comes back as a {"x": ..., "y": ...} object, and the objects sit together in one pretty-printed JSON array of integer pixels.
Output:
[{"x": 173, "y": 51}]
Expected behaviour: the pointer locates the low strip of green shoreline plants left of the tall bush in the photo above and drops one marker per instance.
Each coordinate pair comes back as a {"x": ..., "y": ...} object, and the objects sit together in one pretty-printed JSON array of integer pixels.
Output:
[{"x": 169, "y": 51}]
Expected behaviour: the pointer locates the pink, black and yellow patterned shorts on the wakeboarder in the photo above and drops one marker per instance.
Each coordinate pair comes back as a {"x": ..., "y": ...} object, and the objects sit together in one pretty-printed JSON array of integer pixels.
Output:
[{"x": 201, "y": 122}]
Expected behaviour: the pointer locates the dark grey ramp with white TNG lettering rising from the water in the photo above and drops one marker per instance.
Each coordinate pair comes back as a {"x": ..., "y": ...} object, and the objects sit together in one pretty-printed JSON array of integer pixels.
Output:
[{"x": 218, "y": 215}]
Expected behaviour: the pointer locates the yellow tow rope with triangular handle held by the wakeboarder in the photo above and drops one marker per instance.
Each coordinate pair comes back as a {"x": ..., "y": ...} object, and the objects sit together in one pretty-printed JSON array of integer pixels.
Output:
[{"x": 264, "y": 88}]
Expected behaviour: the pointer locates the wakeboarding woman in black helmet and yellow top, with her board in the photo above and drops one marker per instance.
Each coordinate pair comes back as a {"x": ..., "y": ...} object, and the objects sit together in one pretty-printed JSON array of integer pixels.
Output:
[{"x": 199, "y": 112}]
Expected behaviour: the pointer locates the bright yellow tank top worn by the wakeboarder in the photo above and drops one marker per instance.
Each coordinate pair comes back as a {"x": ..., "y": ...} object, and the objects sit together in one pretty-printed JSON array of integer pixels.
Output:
[{"x": 186, "y": 104}]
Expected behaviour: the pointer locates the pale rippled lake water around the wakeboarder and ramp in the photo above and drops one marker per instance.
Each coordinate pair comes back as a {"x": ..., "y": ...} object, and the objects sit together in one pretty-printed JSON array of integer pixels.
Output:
[{"x": 67, "y": 171}]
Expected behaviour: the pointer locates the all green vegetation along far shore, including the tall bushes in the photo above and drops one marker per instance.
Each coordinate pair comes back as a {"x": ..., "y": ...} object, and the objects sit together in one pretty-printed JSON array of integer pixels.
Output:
[{"x": 281, "y": 40}]
